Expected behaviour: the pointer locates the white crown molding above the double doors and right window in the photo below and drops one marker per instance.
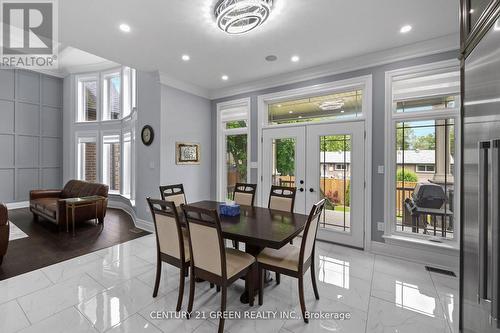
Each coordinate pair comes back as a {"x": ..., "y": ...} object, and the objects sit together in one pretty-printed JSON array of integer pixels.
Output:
[{"x": 429, "y": 47}]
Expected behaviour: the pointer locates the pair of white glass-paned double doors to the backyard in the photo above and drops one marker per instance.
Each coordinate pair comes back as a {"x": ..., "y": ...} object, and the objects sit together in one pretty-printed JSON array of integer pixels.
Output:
[{"x": 321, "y": 161}]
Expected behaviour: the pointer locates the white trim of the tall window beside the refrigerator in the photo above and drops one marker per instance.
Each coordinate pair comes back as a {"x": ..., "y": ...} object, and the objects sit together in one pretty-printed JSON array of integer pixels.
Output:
[{"x": 391, "y": 118}]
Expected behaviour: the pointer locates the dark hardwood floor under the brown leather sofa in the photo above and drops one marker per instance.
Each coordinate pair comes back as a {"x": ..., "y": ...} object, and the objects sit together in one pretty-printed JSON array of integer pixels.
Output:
[{"x": 46, "y": 246}]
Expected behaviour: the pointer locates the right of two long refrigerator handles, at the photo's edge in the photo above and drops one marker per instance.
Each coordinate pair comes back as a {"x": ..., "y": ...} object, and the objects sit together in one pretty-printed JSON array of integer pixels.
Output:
[{"x": 495, "y": 265}]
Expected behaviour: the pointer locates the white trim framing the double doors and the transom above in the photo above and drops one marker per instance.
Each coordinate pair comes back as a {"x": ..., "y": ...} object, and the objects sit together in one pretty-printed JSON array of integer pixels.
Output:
[{"x": 365, "y": 83}]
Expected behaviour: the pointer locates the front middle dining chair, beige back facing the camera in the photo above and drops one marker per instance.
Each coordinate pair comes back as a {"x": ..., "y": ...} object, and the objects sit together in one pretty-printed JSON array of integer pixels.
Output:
[{"x": 211, "y": 260}]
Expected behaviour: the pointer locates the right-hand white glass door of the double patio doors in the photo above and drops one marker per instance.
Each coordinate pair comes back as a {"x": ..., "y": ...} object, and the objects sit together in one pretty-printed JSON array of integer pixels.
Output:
[{"x": 335, "y": 172}]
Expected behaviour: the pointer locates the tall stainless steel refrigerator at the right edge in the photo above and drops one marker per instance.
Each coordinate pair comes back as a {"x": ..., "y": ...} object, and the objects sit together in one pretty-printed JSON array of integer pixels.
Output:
[{"x": 480, "y": 273}]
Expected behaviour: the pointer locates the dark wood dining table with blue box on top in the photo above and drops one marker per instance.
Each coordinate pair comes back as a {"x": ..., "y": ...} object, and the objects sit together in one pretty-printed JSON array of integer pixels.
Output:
[{"x": 258, "y": 228}]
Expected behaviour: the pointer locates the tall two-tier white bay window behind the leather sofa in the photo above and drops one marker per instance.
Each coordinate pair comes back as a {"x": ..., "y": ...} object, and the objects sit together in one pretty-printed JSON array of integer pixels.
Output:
[{"x": 105, "y": 123}]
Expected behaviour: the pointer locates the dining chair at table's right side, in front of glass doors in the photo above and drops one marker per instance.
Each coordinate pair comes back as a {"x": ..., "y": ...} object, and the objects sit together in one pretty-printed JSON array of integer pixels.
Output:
[{"x": 292, "y": 260}]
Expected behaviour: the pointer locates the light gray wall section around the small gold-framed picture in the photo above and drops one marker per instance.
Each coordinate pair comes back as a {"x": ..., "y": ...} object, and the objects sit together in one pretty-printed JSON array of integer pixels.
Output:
[{"x": 187, "y": 118}]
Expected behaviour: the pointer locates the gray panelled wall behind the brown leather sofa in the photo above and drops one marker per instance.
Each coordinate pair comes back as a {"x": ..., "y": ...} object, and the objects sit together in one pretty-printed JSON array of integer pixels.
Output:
[{"x": 30, "y": 133}]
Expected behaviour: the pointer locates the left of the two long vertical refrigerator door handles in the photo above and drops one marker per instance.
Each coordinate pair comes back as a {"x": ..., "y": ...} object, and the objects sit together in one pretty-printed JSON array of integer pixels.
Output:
[{"x": 483, "y": 221}]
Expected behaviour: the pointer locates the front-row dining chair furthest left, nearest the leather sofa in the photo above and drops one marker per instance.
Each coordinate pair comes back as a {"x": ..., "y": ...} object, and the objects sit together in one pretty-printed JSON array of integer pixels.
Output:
[{"x": 172, "y": 243}]
